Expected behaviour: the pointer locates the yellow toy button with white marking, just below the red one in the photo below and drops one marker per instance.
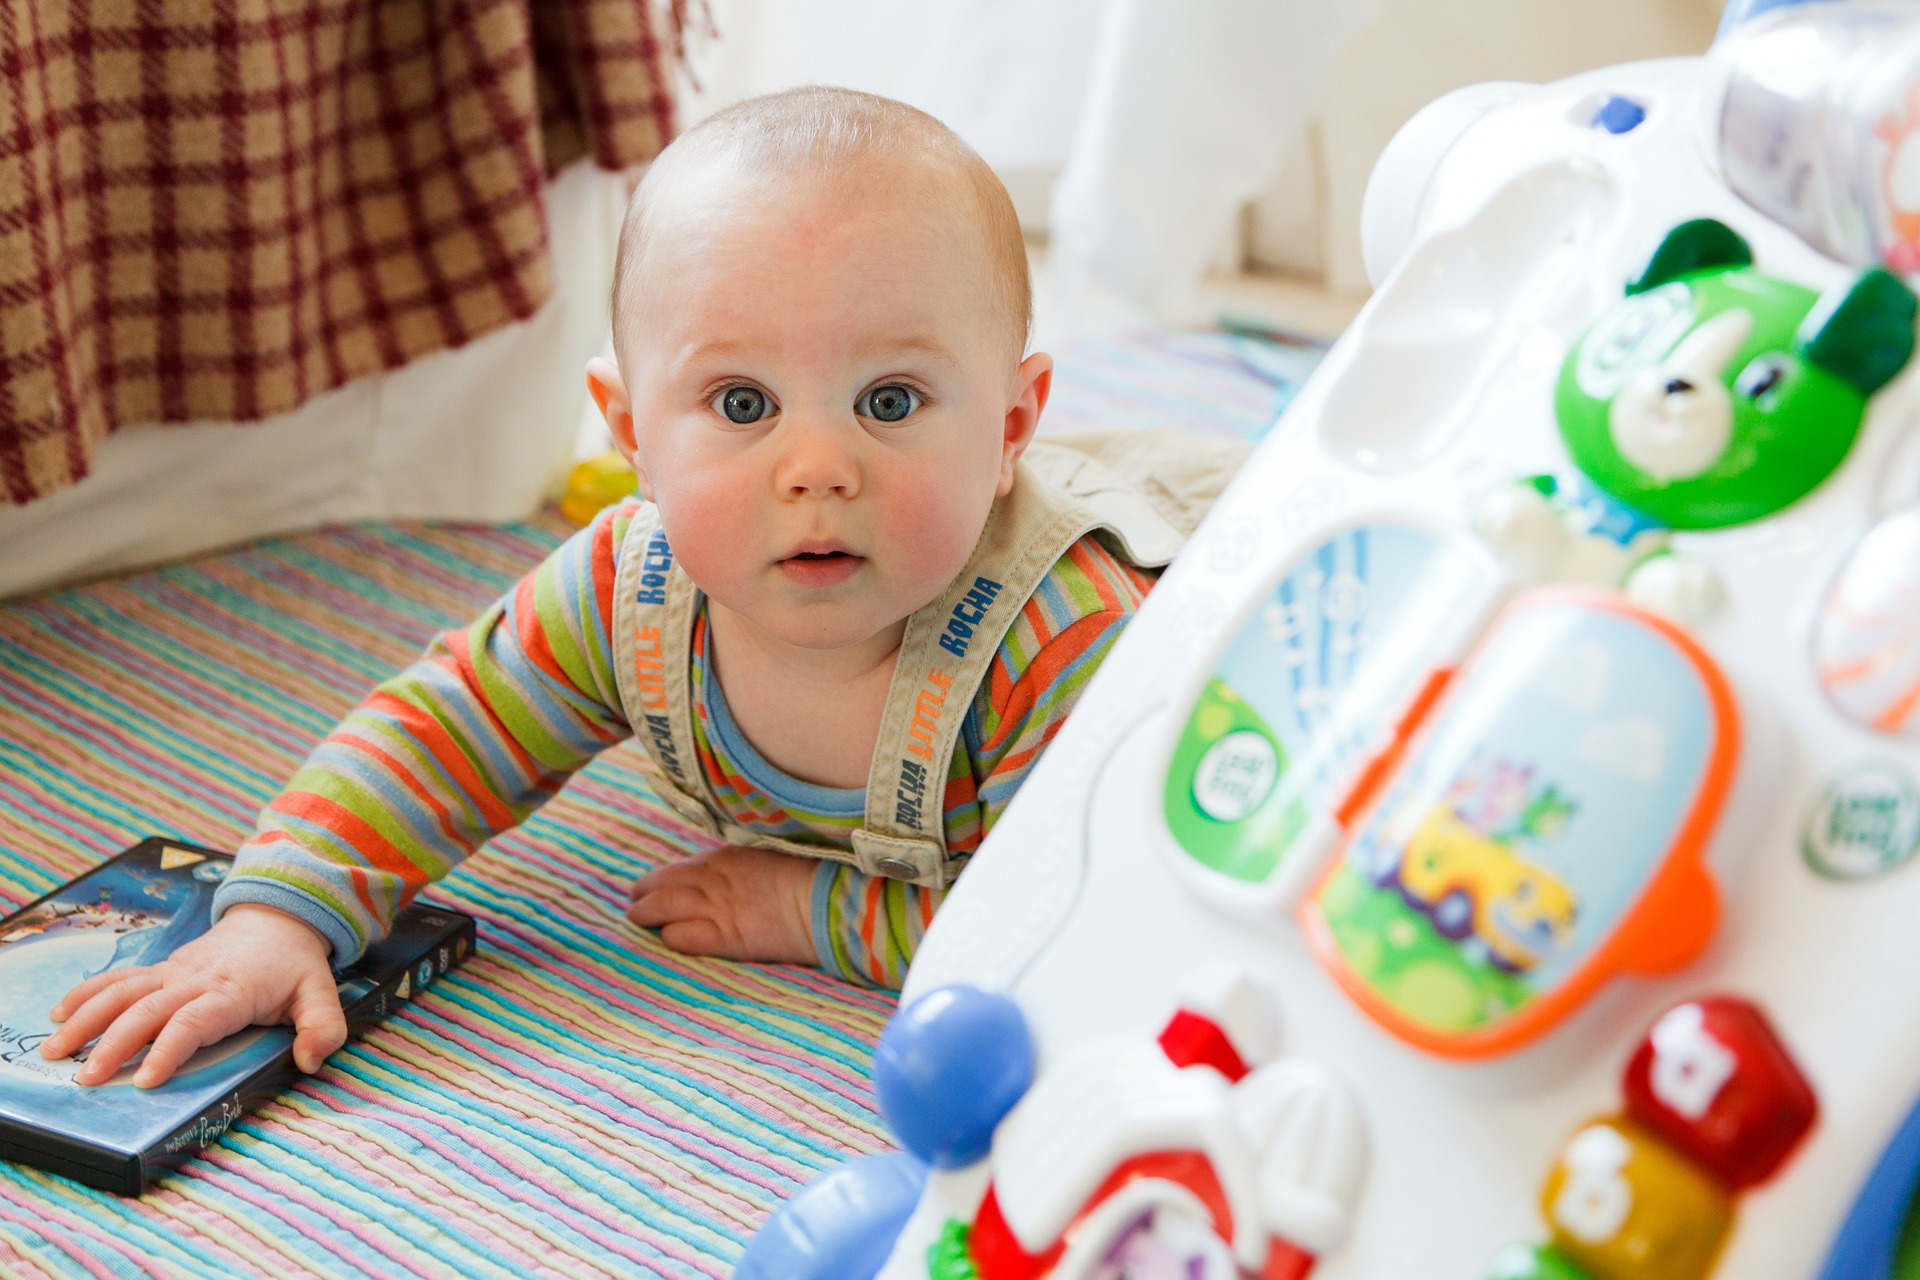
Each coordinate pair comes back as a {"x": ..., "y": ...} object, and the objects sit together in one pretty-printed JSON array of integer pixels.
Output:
[{"x": 1625, "y": 1206}]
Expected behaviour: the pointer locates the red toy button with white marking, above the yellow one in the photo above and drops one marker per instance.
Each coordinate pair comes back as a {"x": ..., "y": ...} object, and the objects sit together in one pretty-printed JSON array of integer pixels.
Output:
[{"x": 1716, "y": 1081}]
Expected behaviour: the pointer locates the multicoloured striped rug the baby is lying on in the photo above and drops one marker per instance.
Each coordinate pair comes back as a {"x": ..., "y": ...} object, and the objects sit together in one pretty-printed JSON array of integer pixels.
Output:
[{"x": 577, "y": 1101}]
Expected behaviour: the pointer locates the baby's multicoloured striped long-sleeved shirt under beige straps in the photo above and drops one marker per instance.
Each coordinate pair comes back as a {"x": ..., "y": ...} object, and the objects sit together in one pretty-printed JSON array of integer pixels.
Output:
[{"x": 496, "y": 717}]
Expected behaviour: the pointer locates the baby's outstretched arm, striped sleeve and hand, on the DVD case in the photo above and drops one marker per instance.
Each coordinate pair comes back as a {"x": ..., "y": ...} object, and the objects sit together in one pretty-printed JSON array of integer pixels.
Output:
[{"x": 456, "y": 749}]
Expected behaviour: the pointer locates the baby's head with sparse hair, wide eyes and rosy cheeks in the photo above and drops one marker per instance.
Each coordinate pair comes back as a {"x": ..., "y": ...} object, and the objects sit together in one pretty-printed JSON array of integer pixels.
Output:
[{"x": 821, "y": 310}]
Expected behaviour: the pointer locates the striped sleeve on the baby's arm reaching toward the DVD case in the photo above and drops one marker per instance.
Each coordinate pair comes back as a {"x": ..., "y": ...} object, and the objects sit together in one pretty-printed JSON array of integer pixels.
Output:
[{"x": 460, "y": 747}]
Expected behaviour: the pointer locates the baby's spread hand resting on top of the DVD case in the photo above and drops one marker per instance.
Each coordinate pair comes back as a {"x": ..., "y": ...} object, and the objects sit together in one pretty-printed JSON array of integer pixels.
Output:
[{"x": 254, "y": 968}]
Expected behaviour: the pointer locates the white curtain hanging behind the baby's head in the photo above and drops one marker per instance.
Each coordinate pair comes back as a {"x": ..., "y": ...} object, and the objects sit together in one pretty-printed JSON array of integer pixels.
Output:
[{"x": 1130, "y": 131}]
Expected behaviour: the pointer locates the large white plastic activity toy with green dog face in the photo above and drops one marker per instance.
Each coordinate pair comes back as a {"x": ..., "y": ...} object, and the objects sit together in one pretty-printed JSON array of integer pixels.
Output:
[{"x": 1487, "y": 853}]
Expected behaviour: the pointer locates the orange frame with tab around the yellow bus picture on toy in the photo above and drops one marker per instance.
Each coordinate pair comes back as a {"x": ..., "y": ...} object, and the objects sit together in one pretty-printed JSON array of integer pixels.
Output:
[{"x": 1666, "y": 930}]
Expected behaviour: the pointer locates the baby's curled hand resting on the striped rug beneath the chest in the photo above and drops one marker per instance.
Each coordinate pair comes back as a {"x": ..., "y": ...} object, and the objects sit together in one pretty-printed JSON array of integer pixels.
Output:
[{"x": 734, "y": 903}]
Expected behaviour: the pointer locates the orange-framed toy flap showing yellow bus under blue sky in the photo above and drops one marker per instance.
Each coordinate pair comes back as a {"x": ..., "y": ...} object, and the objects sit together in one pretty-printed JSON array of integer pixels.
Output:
[{"x": 1441, "y": 918}]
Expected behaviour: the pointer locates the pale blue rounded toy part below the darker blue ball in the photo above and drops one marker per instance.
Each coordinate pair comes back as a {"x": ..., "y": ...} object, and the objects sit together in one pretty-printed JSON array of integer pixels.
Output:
[{"x": 842, "y": 1227}]
